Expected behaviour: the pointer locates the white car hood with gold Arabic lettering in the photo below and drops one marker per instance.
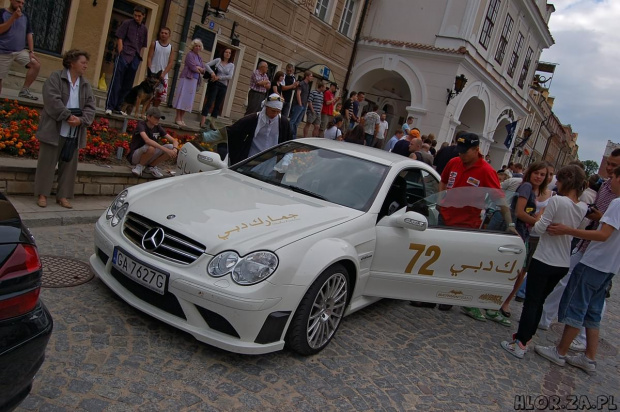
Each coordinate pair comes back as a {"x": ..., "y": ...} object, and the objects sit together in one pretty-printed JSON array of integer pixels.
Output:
[{"x": 224, "y": 210}]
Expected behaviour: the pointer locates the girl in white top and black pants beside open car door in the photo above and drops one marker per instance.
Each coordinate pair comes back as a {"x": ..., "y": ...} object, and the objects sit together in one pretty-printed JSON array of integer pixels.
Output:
[{"x": 551, "y": 260}]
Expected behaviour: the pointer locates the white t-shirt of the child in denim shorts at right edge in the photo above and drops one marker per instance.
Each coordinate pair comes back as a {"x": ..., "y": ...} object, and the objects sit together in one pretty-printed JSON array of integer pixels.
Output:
[{"x": 604, "y": 256}]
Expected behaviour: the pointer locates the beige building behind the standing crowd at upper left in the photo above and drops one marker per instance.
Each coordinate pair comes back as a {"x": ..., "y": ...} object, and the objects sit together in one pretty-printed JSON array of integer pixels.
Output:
[{"x": 315, "y": 34}]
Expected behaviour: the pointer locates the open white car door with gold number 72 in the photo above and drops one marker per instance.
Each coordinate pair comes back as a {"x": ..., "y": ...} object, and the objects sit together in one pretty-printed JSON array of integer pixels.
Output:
[{"x": 443, "y": 264}]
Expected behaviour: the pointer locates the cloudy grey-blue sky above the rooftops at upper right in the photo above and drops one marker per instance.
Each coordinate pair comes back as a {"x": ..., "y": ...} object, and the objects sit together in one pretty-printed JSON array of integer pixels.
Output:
[{"x": 586, "y": 84}]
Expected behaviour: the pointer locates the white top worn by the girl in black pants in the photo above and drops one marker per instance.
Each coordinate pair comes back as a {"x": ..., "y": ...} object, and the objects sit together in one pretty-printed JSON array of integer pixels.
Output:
[{"x": 555, "y": 250}]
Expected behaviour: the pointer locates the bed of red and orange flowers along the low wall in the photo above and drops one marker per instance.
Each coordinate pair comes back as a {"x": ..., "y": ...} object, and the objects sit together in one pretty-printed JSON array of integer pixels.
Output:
[{"x": 18, "y": 127}]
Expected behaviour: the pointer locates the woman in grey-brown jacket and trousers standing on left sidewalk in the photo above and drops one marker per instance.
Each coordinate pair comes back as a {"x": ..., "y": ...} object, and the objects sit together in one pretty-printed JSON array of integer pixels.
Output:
[{"x": 68, "y": 108}]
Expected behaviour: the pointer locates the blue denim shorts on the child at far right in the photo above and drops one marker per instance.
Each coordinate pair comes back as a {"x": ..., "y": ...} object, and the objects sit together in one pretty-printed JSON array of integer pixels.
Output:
[{"x": 583, "y": 298}]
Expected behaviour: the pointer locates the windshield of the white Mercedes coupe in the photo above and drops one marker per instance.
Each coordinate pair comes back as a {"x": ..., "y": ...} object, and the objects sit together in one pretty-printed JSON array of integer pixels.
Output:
[{"x": 320, "y": 173}]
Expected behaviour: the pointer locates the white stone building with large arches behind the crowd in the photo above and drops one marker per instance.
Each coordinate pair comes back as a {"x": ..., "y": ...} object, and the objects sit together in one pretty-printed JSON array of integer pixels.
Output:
[{"x": 411, "y": 52}]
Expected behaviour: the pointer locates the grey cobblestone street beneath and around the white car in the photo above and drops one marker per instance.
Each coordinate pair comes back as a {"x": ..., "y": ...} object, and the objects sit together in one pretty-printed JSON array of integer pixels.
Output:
[{"x": 106, "y": 356}]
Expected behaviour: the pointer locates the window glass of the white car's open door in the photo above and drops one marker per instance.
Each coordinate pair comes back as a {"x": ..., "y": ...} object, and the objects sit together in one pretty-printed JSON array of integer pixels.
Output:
[{"x": 468, "y": 208}]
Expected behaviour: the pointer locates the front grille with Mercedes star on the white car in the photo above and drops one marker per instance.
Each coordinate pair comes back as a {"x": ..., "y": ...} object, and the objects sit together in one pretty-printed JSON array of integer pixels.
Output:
[{"x": 175, "y": 247}]
